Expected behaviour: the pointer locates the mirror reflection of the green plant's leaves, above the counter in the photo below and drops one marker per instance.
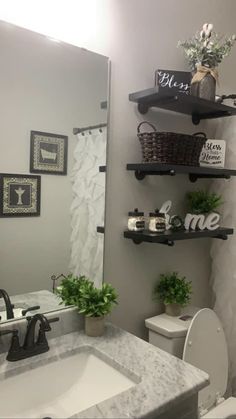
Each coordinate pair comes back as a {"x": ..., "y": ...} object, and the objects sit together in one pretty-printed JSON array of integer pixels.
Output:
[{"x": 69, "y": 290}]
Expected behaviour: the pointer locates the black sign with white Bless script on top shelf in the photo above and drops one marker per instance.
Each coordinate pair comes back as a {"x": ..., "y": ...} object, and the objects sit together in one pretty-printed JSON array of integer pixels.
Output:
[{"x": 176, "y": 81}]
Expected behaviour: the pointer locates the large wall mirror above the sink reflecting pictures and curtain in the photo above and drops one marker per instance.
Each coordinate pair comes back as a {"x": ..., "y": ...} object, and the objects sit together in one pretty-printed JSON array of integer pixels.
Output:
[{"x": 53, "y": 136}]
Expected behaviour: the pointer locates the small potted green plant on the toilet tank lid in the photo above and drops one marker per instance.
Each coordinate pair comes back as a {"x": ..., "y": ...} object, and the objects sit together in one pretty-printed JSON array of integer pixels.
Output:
[{"x": 174, "y": 291}]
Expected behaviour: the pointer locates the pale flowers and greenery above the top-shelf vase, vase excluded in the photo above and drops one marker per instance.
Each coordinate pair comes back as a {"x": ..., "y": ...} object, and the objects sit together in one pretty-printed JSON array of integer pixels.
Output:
[{"x": 207, "y": 48}]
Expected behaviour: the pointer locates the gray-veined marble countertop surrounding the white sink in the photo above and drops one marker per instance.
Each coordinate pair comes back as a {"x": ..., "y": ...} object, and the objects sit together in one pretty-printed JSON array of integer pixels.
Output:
[{"x": 161, "y": 378}]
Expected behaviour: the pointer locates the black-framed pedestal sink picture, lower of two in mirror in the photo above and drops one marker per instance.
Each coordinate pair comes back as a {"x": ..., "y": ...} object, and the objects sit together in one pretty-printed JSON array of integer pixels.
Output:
[{"x": 20, "y": 195}]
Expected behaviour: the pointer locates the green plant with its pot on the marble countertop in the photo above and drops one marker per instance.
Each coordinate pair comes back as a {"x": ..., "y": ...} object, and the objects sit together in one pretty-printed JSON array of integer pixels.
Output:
[{"x": 95, "y": 303}]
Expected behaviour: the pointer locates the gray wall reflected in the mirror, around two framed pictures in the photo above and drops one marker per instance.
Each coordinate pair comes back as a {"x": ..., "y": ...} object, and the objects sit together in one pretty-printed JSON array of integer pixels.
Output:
[{"x": 50, "y": 87}]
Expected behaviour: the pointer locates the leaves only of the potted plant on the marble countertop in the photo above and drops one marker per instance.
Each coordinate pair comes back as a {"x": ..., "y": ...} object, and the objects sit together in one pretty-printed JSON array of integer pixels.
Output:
[{"x": 96, "y": 302}]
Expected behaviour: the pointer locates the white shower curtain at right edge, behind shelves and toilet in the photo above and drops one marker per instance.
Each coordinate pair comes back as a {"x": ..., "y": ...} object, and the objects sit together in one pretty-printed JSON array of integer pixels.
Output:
[{"x": 223, "y": 277}]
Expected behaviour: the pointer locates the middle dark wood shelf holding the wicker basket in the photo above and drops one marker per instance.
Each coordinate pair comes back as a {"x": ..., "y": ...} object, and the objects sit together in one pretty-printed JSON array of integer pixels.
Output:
[{"x": 143, "y": 169}]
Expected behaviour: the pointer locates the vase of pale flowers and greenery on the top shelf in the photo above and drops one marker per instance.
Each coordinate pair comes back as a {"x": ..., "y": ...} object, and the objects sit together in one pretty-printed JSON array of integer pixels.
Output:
[{"x": 204, "y": 52}]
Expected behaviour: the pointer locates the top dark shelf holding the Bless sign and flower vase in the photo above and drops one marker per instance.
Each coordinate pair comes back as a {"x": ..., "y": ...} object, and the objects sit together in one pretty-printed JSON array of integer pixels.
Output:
[{"x": 190, "y": 105}]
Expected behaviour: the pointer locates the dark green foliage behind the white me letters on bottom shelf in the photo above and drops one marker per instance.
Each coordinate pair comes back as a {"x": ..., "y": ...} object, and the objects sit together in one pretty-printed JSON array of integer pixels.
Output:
[{"x": 202, "y": 202}]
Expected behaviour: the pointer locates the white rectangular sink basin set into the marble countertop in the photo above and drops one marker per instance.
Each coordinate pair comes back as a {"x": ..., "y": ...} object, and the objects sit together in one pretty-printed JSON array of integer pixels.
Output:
[{"x": 62, "y": 388}]
